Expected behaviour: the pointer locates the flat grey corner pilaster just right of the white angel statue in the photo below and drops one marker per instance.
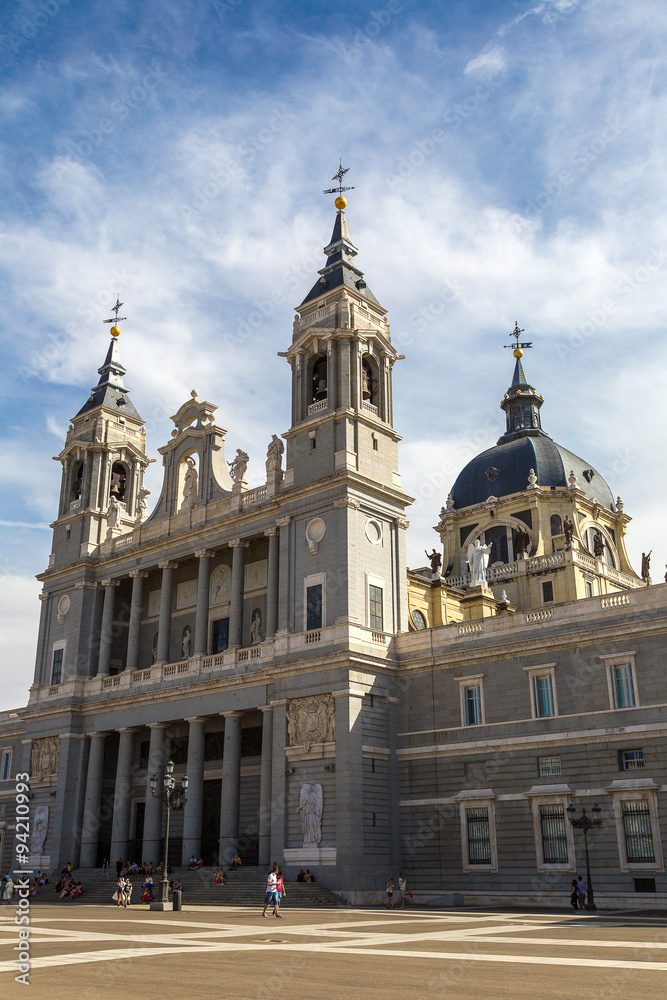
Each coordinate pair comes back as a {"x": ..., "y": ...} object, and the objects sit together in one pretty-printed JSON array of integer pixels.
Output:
[{"x": 349, "y": 788}]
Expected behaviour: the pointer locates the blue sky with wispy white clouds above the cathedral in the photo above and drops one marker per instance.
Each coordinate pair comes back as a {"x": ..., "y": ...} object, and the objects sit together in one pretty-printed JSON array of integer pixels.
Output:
[{"x": 508, "y": 161}]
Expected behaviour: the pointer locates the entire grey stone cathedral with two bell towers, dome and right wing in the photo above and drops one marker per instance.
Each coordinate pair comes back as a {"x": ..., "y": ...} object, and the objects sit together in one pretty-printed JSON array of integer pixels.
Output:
[{"x": 331, "y": 709}]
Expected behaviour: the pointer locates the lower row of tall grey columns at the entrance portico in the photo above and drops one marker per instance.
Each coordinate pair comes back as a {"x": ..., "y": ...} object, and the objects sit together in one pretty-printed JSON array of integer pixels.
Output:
[{"x": 271, "y": 822}]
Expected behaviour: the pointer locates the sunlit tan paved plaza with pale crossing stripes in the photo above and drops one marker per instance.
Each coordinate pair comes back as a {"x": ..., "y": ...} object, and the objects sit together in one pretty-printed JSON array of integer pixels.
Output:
[{"x": 94, "y": 952}]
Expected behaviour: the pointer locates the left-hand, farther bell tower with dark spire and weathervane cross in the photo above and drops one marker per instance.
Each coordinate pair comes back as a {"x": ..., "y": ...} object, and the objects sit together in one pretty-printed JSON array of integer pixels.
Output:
[{"x": 103, "y": 464}]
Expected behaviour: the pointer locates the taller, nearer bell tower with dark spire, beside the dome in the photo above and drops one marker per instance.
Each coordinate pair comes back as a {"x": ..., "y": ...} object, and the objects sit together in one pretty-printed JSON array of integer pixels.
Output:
[{"x": 341, "y": 358}]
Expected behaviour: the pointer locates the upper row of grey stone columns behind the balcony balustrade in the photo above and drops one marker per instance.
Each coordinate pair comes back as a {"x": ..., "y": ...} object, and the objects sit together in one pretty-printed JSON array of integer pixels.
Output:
[{"x": 200, "y": 639}]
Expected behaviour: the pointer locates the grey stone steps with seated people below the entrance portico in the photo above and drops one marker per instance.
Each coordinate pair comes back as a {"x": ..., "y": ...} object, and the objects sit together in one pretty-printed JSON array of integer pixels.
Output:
[{"x": 246, "y": 886}]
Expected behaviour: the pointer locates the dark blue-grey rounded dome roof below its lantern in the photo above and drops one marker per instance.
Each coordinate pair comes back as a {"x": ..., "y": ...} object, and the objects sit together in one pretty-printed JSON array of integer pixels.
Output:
[{"x": 504, "y": 469}]
